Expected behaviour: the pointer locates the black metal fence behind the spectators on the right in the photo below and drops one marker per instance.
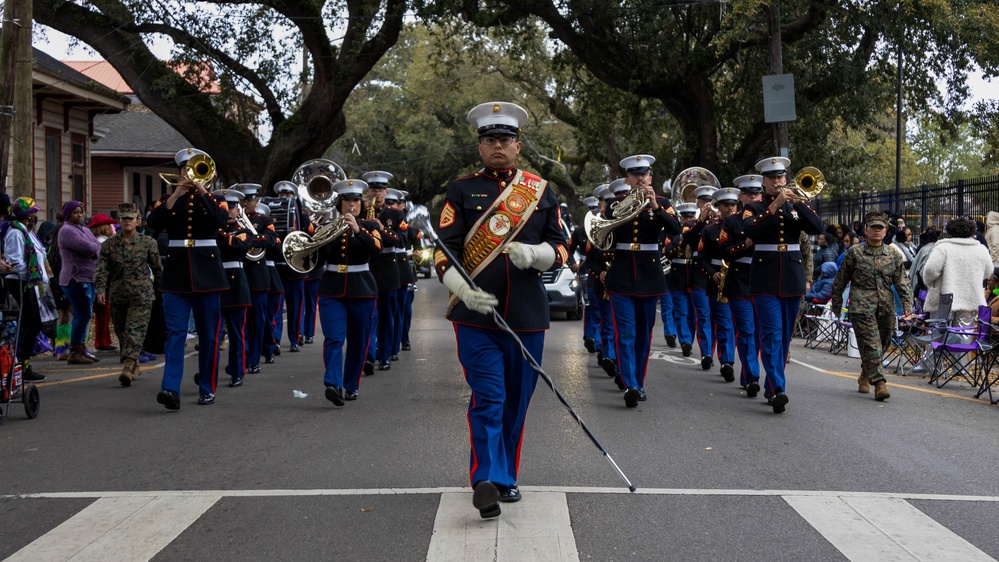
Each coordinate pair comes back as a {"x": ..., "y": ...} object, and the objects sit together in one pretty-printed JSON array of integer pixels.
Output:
[{"x": 922, "y": 206}]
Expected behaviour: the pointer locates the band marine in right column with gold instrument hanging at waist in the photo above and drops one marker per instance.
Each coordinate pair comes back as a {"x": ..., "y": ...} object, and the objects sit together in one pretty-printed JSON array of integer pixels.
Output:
[{"x": 712, "y": 262}]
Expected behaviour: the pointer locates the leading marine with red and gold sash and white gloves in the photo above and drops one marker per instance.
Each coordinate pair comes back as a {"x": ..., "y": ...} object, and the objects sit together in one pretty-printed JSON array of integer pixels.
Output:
[{"x": 504, "y": 226}]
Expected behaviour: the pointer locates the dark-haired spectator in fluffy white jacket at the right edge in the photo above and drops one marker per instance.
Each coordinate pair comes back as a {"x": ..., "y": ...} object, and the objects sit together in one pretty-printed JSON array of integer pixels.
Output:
[{"x": 958, "y": 265}]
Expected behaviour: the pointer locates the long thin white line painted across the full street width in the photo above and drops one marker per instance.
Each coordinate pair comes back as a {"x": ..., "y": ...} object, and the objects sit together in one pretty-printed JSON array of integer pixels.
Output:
[{"x": 525, "y": 489}]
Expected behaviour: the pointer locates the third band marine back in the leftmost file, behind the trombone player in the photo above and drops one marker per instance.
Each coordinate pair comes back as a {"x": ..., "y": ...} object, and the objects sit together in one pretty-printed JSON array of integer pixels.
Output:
[{"x": 257, "y": 273}]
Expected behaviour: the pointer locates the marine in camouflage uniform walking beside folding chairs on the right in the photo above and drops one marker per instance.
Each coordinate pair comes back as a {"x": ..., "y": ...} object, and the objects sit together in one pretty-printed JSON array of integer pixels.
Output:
[{"x": 872, "y": 269}]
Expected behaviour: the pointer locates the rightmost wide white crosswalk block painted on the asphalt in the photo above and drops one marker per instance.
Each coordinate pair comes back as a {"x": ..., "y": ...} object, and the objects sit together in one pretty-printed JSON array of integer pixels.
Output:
[{"x": 876, "y": 529}]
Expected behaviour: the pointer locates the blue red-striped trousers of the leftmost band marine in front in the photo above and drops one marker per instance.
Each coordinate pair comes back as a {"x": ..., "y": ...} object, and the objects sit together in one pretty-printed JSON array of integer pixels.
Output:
[{"x": 177, "y": 309}]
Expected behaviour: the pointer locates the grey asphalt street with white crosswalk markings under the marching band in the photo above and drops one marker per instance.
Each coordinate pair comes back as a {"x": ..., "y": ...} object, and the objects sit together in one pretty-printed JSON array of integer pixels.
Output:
[{"x": 106, "y": 473}]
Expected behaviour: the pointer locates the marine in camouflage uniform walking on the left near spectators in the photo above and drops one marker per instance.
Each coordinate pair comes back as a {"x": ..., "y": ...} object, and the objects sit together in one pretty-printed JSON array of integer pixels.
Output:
[{"x": 124, "y": 267}]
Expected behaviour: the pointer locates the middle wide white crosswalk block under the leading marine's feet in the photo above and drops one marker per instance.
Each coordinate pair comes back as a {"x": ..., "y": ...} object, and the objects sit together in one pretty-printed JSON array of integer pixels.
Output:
[{"x": 537, "y": 528}]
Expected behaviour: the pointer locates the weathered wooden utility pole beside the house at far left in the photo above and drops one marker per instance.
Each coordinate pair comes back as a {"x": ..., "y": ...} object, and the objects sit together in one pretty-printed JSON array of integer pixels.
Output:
[{"x": 22, "y": 143}]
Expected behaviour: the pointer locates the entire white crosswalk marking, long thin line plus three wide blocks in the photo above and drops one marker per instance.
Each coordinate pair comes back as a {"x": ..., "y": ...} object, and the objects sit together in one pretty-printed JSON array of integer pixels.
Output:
[{"x": 863, "y": 527}]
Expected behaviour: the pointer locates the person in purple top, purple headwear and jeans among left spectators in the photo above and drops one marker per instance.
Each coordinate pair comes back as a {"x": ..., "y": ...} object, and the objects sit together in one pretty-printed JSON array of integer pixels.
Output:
[{"x": 78, "y": 248}]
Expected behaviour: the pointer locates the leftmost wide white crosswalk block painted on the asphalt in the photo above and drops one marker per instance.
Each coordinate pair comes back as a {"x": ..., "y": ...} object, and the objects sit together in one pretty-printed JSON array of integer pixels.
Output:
[{"x": 118, "y": 528}]
